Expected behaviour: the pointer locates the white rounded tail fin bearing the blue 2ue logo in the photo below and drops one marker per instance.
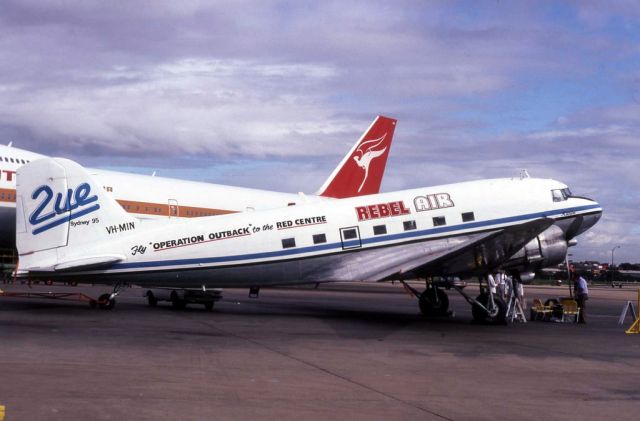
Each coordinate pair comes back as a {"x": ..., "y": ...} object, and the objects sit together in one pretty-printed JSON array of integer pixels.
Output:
[{"x": 61, "y": 213}]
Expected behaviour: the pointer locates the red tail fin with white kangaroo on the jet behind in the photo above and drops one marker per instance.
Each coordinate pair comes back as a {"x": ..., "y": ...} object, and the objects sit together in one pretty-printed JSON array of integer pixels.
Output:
[{"x": 360, "y": 171}]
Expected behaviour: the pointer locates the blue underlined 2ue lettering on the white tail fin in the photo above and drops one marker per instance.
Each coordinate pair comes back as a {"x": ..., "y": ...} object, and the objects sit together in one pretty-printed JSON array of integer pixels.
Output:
[{"x": 63, "y": 205}]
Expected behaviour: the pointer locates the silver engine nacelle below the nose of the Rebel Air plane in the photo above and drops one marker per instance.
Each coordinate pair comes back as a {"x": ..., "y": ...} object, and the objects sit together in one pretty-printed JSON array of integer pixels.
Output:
[{"x": 547, "y": 249}]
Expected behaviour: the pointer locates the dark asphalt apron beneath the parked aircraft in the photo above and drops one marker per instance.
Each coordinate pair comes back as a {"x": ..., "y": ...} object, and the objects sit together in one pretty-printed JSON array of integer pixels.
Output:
[{"x": 342, "y": 352}]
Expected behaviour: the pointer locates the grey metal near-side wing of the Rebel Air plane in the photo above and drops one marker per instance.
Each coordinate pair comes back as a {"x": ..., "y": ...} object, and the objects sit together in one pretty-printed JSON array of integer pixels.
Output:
[{"x": 470, "y": 254}]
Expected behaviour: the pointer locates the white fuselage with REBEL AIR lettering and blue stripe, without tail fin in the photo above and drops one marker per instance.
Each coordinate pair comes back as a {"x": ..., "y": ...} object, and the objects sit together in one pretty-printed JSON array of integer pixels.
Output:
[{"x": 345, "y": 240}]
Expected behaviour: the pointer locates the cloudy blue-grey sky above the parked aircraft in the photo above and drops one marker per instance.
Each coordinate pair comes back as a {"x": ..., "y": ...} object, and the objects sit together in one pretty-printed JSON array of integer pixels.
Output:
[{"x": 271, "y": 94}]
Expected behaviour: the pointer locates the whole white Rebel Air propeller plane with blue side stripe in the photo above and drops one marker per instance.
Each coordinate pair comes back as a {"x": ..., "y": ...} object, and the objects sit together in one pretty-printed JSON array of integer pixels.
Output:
[{"x": 69, "y": 228}]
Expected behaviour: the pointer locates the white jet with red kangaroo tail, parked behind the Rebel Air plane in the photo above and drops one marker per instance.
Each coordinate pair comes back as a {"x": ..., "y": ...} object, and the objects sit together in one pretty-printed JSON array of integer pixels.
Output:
[{"x": 359, "y": 173}]
